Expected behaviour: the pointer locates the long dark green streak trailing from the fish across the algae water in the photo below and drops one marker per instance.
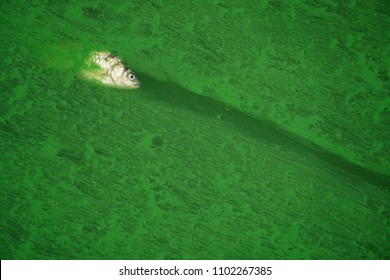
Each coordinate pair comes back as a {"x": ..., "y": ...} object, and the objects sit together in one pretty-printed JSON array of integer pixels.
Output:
[{"x": 264, "y": 131}]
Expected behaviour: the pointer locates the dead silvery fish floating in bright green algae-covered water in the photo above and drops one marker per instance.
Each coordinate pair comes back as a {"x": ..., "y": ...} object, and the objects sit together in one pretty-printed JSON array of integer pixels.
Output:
[{"x": 109, "y": 69}]
